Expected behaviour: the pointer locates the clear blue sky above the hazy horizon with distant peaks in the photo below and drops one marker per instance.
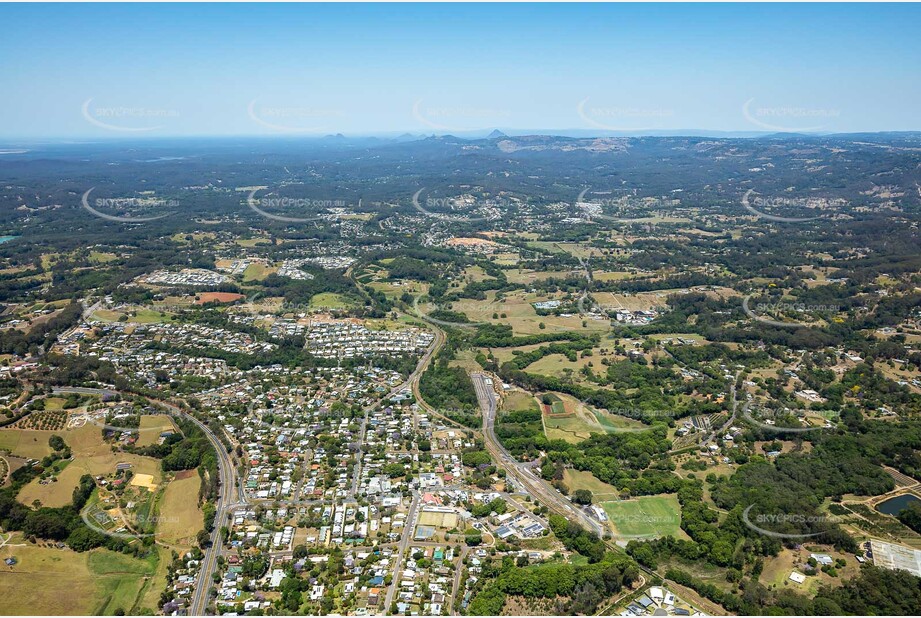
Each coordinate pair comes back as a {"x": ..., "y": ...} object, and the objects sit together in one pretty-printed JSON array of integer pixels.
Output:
[{"x": 117, "y": 71}]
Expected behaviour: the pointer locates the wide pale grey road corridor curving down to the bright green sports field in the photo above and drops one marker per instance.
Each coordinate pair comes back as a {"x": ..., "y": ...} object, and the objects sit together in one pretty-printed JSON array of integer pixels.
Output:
[{"x": 536, "y": 487}]
